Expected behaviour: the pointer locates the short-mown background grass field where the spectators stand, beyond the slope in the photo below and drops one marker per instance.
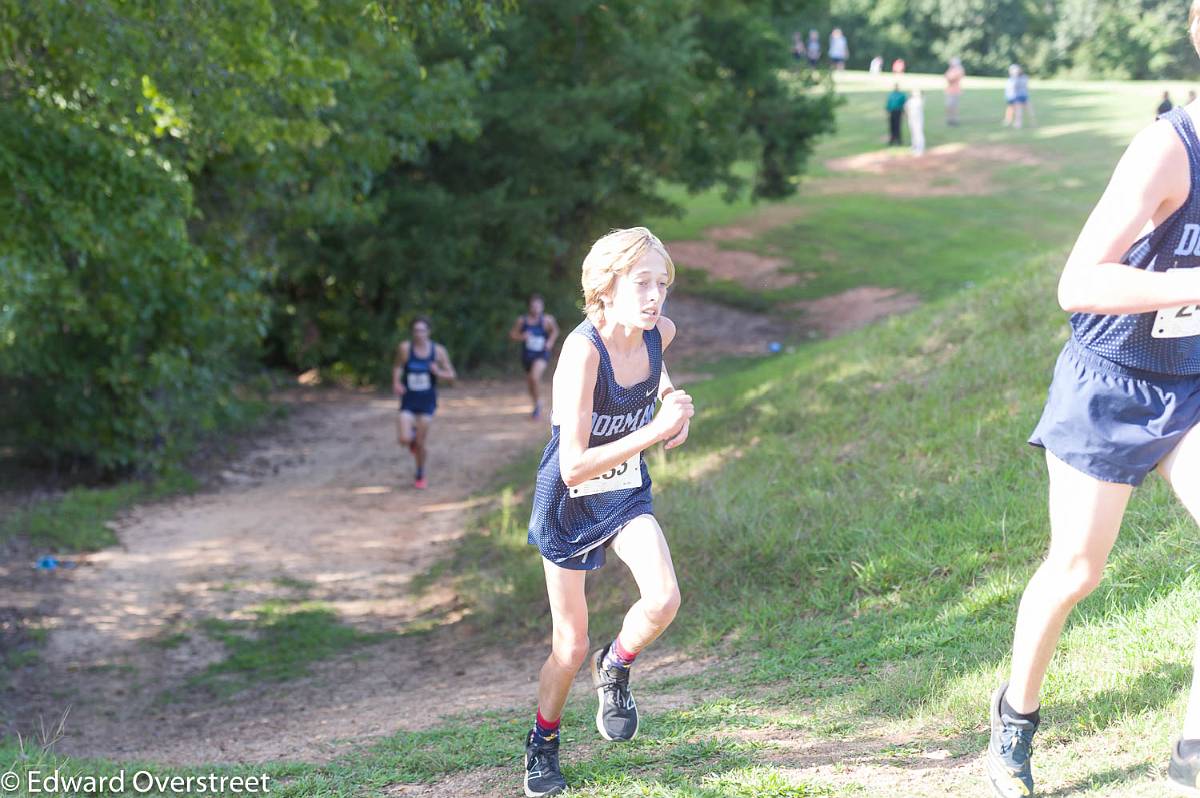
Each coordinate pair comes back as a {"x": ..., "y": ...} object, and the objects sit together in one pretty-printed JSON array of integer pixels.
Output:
[{"x": 931, "y": 247}]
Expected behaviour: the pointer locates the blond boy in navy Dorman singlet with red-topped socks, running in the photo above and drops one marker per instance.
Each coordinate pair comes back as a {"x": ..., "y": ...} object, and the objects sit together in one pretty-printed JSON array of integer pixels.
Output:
[{"x": 593, "y": 490}]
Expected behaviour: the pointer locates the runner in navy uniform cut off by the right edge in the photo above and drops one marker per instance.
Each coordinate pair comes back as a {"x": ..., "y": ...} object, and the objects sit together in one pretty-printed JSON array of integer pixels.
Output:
[{"x": 1125, "y": 401}]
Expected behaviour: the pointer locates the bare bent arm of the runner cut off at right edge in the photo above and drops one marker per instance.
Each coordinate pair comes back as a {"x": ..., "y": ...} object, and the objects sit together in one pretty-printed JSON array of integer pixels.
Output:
[{"x": 1151, "y": 179}]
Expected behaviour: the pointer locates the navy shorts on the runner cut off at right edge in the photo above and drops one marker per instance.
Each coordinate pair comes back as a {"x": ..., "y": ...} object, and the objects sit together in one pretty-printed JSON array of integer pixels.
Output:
[{"x": 1111, "y": 422}]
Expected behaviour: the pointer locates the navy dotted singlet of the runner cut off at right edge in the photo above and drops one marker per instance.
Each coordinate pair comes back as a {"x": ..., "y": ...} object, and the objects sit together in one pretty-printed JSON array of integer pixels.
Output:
[{"x": 1129, "y": 340}]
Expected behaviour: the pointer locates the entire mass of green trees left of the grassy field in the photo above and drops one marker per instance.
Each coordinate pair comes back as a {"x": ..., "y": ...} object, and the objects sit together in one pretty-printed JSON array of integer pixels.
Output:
[{"x": 194, "y": 188}]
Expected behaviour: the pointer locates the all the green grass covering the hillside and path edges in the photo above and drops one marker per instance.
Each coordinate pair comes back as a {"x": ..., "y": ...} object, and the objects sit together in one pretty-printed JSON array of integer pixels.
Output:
[{"x": 854, "y": 525}]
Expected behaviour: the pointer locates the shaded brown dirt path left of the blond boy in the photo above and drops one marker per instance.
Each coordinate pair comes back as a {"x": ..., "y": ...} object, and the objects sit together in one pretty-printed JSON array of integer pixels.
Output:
[{"x": 323, "y": 509}]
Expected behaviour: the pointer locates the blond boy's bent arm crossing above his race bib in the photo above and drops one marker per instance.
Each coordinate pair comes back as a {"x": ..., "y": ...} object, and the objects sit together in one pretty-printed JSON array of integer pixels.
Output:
[{"x": 575, "y": 380}]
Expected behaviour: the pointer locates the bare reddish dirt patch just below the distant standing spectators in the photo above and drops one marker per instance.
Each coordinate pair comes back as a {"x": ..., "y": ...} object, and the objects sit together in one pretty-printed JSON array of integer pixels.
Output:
[{"x": 944, "y": 171}]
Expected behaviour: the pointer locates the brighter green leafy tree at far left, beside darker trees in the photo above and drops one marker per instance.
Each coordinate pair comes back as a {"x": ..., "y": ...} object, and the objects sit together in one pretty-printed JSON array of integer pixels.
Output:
[{"x": 139, "y": 146}]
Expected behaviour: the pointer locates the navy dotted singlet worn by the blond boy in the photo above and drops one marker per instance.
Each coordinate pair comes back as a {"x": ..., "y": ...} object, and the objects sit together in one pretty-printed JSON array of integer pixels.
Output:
[{"x": 563, "y": 527}]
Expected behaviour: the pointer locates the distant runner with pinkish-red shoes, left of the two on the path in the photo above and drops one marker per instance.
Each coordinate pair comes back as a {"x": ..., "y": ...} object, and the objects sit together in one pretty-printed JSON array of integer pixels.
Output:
[{"x": 419, "y": 365}]
